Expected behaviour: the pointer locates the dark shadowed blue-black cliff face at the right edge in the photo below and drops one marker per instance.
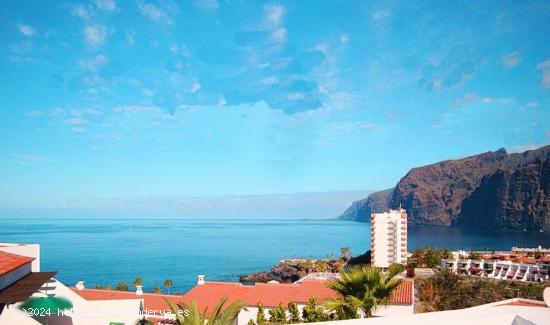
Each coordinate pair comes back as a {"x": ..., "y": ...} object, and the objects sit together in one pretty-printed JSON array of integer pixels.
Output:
[{"x": 511, "y": 200}]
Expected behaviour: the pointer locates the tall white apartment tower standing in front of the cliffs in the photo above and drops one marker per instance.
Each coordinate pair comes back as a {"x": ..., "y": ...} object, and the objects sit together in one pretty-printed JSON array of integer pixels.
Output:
[{"x": 388, "y": 238}]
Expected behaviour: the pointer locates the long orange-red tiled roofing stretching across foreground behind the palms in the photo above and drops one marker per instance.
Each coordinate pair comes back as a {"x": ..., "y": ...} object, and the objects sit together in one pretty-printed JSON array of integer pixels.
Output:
[{"x": 270, "y": 295}]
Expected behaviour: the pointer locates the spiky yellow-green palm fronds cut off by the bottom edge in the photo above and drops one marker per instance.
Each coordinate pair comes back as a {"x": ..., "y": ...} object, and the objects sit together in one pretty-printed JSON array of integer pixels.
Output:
[{"x": 190, "y": 314}]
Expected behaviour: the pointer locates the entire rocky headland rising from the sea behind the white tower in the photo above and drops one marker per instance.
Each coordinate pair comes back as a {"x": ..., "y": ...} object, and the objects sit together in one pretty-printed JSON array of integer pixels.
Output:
[{"x": 492, "y": 189}]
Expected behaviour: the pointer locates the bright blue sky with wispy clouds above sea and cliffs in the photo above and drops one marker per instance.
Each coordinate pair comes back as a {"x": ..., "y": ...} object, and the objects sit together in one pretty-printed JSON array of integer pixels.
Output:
[{"x": 124, "y": 104}]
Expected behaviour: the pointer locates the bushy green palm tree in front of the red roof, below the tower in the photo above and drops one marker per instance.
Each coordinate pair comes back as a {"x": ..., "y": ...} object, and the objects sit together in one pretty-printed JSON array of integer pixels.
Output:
[{"x": 362, "y": 288}]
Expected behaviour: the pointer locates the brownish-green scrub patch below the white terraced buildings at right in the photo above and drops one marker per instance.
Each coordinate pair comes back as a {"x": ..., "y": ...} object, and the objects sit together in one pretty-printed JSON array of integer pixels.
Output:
[{"x": 447, "y": 291}]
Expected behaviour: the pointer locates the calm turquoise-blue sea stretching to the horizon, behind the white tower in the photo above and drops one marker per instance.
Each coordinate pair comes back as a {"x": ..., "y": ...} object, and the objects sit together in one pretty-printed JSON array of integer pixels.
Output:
[{"x": 109, "y": 251}]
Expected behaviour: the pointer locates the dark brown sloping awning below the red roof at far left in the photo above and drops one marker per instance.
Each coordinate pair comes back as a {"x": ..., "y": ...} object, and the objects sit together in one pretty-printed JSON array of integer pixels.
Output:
[{"x": 24, "y": 288}]
